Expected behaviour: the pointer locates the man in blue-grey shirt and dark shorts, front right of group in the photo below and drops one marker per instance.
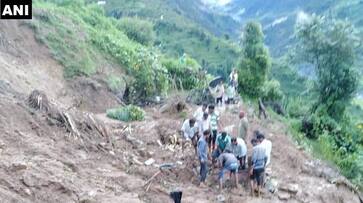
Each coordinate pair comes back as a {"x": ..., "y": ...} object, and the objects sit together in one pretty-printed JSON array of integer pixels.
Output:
[{"x": 257, "y": 170}]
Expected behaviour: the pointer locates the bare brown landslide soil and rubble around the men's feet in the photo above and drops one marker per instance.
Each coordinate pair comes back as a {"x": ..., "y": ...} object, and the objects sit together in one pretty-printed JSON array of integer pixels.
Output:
[{"x": 41, "y": 161}]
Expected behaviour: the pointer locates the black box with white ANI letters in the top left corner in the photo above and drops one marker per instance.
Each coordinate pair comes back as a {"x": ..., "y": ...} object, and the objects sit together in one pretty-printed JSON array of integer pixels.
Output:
[{"x": 16, "y": 9}]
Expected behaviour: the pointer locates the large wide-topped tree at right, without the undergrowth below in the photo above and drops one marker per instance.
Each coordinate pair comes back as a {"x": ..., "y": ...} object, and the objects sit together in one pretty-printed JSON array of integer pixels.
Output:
[{"x": 329, "y": 45}]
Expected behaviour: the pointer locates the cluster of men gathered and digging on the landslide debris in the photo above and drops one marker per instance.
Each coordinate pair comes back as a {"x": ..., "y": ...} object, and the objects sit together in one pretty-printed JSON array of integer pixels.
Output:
[{"x": 218, "y": 148}]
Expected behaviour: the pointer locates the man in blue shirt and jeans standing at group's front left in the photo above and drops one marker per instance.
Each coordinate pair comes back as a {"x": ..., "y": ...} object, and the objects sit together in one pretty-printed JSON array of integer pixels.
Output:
[{"x": 202, "y": 149}]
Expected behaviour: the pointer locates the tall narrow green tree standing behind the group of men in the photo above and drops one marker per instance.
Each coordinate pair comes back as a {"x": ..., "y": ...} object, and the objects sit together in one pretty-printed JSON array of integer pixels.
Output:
[{"x": 255, "y": 61}]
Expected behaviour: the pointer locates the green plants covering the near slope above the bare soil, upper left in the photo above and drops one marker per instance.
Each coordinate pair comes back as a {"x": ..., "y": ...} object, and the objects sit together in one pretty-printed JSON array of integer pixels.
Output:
[{"x": 81, "y": 37}]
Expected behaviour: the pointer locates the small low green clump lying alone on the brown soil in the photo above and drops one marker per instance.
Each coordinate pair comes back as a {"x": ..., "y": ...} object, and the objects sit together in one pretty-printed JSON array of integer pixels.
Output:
[{"x": 127, "y": 113}]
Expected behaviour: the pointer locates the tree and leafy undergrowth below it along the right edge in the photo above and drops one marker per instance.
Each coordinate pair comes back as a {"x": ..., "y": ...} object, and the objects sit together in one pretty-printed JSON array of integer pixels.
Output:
[{"x": 329, "y": 47}]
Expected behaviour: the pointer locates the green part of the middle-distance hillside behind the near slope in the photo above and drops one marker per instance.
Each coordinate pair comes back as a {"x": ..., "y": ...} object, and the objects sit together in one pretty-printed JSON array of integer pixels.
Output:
[{"x": 176, "y": 34}]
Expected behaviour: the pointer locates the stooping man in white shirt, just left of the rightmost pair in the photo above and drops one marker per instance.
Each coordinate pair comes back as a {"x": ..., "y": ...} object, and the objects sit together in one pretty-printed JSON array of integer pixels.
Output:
[{"x": 239, "y": 149}]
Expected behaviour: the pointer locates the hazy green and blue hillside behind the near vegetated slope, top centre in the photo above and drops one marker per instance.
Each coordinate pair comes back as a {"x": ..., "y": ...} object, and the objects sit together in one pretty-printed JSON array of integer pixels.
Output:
[{"x": 185, "y": 26}]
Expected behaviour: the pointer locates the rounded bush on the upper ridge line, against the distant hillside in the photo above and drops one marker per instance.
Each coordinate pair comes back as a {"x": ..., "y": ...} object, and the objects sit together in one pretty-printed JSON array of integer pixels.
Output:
[{"x": 138, "y": 30}]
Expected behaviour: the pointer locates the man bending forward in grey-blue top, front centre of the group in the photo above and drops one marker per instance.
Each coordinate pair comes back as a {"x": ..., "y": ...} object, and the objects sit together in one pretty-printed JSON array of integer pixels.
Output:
[{"x": 227, "y": 162}]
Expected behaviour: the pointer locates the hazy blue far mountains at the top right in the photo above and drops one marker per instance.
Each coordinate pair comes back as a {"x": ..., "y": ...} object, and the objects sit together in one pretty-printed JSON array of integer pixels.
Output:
[{"x": 278, "y": 17}]
